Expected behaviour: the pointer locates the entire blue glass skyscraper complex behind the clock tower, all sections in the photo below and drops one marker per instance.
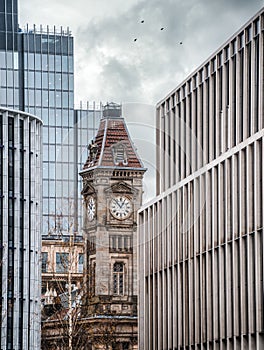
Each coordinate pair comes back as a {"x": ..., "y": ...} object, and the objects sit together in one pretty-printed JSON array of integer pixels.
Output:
[{"x": 37, "y": 76}]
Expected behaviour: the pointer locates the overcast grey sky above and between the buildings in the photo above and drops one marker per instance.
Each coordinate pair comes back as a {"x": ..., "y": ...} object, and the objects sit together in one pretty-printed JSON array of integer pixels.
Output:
[{"x": 111, "y": 66}]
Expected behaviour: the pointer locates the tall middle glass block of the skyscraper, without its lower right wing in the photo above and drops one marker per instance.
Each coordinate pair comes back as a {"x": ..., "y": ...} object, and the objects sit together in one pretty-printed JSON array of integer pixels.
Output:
[{"x": 47, "y": 91}]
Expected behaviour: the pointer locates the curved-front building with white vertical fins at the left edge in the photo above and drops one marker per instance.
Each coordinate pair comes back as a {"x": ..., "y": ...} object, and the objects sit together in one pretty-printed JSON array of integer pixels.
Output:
[{"x": 20, "y": 228}]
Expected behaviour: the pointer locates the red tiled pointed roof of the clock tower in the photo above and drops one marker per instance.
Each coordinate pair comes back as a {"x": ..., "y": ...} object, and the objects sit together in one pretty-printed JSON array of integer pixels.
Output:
[{"x": 112, "y": 146}]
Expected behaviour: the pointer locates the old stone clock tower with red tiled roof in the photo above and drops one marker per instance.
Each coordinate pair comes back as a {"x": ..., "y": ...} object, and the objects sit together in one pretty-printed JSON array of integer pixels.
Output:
[{"x": 112, "y": 194}]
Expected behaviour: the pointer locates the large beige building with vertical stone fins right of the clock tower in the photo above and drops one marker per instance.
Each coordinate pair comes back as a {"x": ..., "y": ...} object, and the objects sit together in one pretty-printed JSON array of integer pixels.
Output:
[{"x": 201, "y": 240}]
